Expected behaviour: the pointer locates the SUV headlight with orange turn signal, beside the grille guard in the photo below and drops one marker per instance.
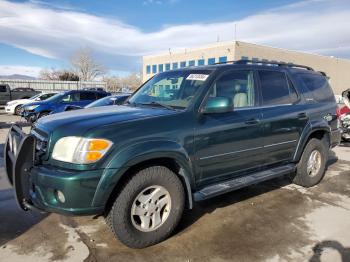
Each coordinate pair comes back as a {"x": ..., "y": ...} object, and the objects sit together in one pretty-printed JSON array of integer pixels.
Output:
[{"x": 79, "y": 150}]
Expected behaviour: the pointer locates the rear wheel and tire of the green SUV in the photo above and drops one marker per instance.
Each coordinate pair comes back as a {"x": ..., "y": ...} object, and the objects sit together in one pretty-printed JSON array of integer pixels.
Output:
[{"x": 309, "y": 177}]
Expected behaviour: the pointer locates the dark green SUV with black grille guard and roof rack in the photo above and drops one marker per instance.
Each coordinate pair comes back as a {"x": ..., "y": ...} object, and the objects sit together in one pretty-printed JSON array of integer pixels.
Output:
[{"x": 184, "y": 136}]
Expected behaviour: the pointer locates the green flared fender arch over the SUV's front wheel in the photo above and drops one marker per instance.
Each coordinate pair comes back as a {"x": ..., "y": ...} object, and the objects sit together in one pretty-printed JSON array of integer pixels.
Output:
[{"x": 138, "y": 153}]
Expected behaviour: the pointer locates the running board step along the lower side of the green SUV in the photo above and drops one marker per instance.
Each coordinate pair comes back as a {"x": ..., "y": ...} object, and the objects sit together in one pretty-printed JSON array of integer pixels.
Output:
[{"x": 240, "y": 182}]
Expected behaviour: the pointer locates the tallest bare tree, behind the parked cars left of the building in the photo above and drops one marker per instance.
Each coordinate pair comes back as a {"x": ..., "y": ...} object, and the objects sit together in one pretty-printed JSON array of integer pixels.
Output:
[{"x": 85, "y": 66}]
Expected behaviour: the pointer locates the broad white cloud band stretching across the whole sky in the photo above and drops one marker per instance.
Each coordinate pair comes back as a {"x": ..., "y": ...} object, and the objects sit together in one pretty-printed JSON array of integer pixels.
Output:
[{"x": 314, "y": 26}]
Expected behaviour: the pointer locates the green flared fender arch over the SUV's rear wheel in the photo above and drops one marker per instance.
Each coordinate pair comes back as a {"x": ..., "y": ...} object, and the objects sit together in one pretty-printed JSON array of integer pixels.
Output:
[{"x": 310, "y": 128}]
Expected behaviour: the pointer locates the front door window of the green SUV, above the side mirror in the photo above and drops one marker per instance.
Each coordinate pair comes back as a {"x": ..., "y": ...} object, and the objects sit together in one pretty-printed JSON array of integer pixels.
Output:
[{"x": 237, "y": 85}]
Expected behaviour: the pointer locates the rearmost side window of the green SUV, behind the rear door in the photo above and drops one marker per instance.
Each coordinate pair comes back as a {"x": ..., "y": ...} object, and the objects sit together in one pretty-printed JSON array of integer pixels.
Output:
[{"x": 318, "y": 86}]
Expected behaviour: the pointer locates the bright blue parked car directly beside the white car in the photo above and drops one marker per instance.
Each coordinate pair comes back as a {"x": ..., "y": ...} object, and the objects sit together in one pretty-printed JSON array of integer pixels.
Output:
[{"x": 57, "y": 103}]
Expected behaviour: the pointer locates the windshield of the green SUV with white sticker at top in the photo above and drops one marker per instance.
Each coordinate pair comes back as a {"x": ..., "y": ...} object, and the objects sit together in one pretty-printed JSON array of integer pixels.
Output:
[{"x": 174, "y": 89}]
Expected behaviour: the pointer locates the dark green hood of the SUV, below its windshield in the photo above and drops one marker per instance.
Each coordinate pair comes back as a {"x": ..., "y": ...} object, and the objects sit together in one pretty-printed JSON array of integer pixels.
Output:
[{"x": 98, "y": 116}]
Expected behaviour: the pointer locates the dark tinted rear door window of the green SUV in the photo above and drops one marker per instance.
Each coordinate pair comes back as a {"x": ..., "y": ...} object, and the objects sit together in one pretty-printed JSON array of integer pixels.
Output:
[{"x": 274, "y": 88}]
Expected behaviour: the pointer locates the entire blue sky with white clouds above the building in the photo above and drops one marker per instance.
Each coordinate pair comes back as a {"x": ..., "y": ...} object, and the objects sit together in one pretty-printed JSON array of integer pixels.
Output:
[{"x": 40, "y": 34}]
